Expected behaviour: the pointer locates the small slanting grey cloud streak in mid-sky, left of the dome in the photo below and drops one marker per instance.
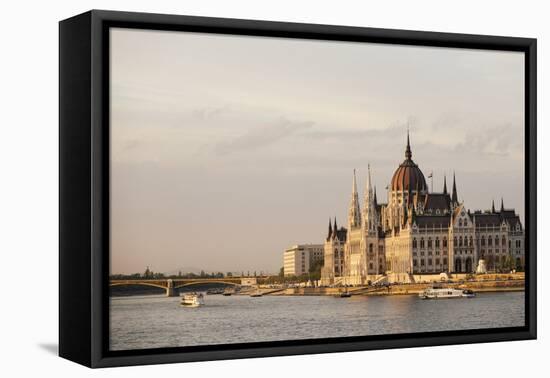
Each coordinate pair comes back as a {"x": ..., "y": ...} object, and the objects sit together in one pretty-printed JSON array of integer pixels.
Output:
[{"x": 262, "y": 136}]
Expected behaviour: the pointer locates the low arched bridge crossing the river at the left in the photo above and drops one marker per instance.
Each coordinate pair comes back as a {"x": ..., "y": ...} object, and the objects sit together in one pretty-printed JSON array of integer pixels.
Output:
[{"x": 172, "y": 284}]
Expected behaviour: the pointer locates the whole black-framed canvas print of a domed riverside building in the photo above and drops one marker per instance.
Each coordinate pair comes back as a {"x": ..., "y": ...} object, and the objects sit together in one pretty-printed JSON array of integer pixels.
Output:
[{"x": 234, "y": 188}]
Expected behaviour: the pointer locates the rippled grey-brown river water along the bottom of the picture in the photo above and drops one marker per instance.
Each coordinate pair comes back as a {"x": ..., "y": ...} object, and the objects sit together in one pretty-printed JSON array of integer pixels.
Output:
[{"x": 155, "y": 321}]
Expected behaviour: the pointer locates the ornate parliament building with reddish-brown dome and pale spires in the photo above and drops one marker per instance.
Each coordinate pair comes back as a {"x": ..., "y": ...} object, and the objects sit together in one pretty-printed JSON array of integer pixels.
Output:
[{"x": 418, "y": 232}]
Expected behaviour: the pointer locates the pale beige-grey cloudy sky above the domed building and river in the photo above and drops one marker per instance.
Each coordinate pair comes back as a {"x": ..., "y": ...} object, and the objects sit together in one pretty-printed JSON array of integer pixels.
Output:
[{"x": 225, "y": 150}]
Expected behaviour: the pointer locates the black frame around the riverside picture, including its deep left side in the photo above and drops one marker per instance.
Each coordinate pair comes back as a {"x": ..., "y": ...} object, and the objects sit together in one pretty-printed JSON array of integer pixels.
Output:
[{"x": 84, "y": 187}]
